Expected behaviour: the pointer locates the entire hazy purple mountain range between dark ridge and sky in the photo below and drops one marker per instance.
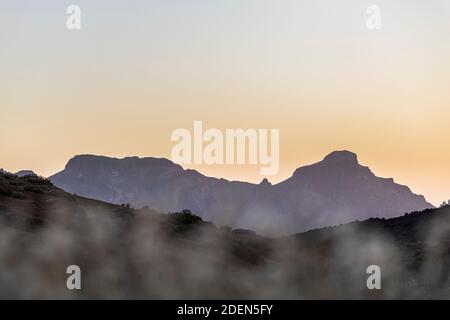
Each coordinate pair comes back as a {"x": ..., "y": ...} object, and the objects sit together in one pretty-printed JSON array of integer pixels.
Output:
[{"x": 334, "y": 191}]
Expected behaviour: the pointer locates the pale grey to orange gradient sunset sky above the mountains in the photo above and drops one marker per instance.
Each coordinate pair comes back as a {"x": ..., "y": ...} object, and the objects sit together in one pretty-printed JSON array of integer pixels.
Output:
[{"x": 137, "y": 70}]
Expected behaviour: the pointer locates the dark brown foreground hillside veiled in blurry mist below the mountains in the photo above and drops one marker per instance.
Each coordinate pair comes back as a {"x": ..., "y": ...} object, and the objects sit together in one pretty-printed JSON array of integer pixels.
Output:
[{"x": 129, "y": 253}]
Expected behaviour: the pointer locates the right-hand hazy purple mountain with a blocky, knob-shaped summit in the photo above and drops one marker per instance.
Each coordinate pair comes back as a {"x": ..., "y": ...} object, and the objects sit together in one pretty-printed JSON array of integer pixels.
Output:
[{"x": 338, "y": 190}]
